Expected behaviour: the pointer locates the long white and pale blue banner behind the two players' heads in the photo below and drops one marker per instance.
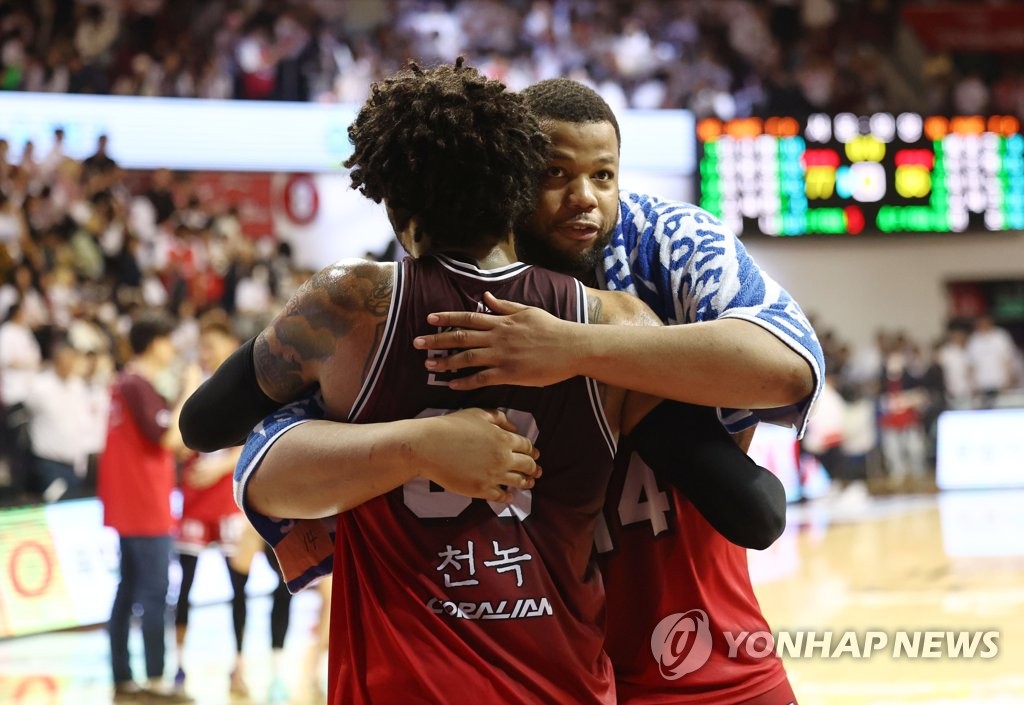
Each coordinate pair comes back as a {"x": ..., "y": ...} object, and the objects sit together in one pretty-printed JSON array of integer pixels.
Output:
[{"x": 254, "y": 136}]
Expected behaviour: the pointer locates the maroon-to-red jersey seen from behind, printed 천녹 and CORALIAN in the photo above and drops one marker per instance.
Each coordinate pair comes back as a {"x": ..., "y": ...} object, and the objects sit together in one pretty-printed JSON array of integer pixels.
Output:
[{"x": 443, "y": 599}]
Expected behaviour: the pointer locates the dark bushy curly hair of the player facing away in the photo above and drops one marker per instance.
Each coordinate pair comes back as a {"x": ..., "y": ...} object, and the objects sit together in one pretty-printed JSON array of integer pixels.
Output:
[{"x": 456, "y": 151}]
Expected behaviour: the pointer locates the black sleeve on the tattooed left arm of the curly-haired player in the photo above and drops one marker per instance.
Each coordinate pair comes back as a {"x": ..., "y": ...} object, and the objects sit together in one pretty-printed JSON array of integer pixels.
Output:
[{"x": 223, "y": 411}]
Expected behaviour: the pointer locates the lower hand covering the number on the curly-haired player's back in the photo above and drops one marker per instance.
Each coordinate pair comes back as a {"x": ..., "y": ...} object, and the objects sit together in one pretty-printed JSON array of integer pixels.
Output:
[{"x": 477, "y": 453}]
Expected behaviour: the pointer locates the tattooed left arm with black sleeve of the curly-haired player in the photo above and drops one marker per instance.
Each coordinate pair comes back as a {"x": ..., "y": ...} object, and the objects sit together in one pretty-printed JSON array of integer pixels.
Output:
[{"x": 325, "y": 337}]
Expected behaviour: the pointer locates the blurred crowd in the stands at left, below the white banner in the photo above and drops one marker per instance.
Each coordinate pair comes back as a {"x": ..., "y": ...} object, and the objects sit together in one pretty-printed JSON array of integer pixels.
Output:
[{"x": 84, "y": 250}]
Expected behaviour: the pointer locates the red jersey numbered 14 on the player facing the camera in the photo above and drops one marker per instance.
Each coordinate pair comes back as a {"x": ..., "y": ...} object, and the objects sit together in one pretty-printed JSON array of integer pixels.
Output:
[{"x": 675, "y": 587}]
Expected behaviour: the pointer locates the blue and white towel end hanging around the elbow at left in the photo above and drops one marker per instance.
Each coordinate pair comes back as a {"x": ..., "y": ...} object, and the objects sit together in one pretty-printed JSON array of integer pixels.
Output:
[{"x": 305, "y": 548}]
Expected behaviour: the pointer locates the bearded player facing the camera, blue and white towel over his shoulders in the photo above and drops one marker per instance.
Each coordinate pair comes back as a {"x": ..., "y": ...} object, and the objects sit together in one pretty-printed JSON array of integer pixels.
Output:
[{"x": 748, "y": 352}]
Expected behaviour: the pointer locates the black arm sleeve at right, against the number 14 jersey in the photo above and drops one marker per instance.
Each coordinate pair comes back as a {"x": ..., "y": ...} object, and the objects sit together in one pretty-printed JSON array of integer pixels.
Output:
[{"x": 688, "y": 447}]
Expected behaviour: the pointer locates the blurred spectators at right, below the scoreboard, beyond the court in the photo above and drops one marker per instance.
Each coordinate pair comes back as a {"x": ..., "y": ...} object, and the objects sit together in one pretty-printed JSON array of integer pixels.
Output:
[{"x": 878, "y": 416}]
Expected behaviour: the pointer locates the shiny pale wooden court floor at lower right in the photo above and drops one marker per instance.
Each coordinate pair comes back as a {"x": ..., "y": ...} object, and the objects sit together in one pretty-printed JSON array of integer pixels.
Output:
[{"x": 953, "y": 563}]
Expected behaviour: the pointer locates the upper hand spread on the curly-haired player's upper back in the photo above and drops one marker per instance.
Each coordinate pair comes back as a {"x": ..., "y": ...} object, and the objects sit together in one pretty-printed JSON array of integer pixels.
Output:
[{"x": 521, "y": 346}]
